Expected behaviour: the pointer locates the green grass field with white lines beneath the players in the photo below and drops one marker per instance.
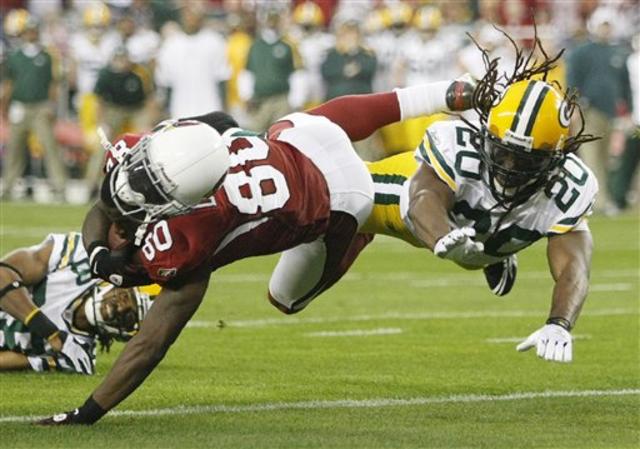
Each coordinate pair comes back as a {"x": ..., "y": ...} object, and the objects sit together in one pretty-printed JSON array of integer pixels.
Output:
[{"x": 405, "y": 352}]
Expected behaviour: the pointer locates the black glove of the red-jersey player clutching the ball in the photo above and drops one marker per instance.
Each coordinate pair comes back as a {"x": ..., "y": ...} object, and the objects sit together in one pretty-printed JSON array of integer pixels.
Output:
[{"x": 112, "y": 267}]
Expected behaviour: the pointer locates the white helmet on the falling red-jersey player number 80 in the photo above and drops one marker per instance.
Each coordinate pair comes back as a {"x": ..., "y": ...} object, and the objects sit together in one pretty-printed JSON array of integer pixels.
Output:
[{"x": 169, "y": 171}]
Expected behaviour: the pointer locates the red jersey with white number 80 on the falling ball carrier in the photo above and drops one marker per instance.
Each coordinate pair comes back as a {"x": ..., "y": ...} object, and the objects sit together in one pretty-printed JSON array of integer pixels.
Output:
[{"x": 273, "y": 198}]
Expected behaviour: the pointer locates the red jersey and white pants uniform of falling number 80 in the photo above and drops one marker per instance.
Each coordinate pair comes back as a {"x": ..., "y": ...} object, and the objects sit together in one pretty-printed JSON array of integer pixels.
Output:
[{"x": 301, "y": 191}]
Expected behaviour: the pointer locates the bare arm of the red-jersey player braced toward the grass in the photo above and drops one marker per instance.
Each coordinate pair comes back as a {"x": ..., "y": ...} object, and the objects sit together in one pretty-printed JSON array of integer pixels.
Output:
[{"x": 162, "y": 325}]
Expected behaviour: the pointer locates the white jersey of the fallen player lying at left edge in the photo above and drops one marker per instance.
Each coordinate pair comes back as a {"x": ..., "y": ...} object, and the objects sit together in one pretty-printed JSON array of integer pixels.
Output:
[{"x": 58, "y": 295}]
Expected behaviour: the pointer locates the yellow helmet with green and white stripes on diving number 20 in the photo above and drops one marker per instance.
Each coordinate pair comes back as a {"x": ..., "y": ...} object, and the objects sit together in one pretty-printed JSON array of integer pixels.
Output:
[{"x": 524, "y": 138}]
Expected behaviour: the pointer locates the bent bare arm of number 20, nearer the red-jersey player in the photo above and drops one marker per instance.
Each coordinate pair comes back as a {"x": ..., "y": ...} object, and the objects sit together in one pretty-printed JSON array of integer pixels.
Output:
[{"x": 429, "y": 203}]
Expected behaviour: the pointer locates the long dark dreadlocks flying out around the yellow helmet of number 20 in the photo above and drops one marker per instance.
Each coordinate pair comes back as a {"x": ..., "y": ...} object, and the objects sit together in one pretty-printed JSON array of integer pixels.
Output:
[{"x": 490, "y": 88}]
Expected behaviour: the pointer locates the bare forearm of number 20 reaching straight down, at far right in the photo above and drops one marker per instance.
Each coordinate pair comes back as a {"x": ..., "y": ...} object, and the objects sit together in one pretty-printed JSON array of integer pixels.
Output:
[{"x": 569, "y": 258}]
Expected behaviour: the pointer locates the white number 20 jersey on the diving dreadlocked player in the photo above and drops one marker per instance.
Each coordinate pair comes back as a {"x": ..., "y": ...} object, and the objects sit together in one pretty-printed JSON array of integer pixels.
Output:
[{"x": 560, "y": 207}]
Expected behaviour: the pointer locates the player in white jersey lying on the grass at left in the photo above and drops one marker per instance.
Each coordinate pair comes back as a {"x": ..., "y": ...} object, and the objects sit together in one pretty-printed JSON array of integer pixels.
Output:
[{"x": 52, "y": 311}]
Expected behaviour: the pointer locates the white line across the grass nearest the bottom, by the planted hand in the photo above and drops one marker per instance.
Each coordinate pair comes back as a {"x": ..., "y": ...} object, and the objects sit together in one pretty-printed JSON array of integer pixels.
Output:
[{"x": 352, "y": 403}]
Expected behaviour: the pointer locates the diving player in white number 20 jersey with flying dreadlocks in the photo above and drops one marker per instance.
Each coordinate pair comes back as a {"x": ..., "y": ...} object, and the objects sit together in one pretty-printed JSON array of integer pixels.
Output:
[{"x": 482, "y": 191}]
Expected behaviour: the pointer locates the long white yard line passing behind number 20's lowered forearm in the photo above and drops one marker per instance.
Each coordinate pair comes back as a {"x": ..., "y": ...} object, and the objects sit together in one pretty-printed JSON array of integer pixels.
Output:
[{"x": 293, "y": 320}]
